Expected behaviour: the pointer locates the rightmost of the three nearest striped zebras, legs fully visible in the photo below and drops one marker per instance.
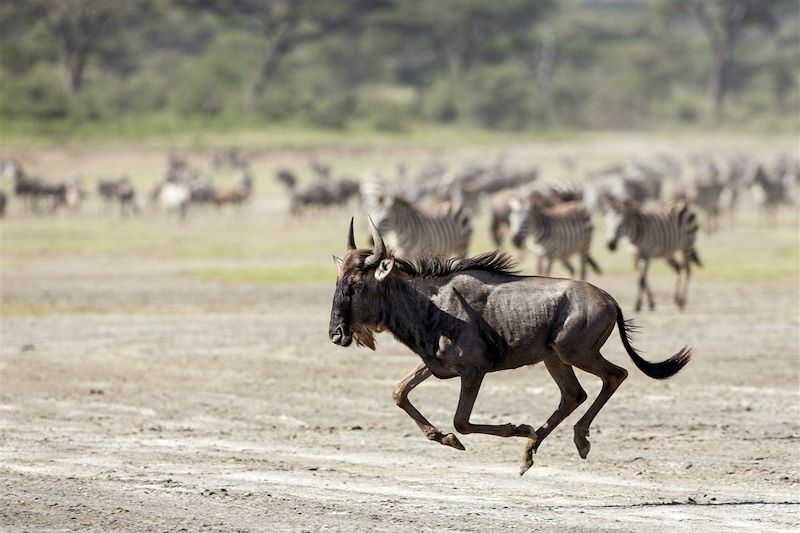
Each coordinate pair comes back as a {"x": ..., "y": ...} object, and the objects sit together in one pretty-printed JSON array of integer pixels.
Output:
[{"x": 657, "y": 234}]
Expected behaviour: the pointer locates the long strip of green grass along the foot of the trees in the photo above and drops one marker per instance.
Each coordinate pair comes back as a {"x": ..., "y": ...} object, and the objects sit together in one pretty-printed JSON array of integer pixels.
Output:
[{"x": 241, "y": 130}]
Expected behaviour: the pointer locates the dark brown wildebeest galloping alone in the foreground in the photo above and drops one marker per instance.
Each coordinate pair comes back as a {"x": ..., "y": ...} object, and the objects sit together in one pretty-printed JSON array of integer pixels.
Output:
[{"x": 469, "y": 317}]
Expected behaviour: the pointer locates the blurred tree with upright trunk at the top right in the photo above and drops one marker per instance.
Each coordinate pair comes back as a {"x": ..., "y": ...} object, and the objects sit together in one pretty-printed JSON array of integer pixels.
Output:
[{"x": 723, "y": 22}]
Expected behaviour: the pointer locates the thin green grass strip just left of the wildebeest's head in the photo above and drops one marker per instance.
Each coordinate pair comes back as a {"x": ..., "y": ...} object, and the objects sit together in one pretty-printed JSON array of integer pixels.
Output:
[{"x": 315, "y": 273}]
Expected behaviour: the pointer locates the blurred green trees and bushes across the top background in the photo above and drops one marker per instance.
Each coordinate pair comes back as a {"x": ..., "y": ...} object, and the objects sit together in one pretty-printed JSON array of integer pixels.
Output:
[{"x": 97, "y": 68}]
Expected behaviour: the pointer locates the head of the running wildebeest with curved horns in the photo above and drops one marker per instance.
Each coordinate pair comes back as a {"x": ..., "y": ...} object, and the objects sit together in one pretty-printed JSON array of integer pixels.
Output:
[{"x": 356, "y": 312}]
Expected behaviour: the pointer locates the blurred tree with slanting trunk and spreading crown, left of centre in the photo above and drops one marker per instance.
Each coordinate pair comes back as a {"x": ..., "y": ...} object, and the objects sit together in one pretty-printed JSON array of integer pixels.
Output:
[{"x": 287, "y": 24}]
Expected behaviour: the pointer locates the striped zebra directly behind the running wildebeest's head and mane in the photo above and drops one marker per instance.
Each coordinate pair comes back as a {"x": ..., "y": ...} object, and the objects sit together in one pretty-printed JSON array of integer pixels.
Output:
[{"x": 444, "y": 231}]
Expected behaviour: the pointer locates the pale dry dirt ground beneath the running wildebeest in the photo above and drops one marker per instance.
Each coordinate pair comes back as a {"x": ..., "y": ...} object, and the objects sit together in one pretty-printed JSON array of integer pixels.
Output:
[{"x": 134, "y": 397}]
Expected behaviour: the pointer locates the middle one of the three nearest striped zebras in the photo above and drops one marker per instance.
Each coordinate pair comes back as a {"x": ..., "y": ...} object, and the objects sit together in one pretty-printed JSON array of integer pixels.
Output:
[{"x": 552, "y": 233}]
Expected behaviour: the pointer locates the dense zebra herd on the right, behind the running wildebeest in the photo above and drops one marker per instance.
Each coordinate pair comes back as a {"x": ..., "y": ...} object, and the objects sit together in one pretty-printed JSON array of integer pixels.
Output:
[{"x": 430, "y": 216}]
